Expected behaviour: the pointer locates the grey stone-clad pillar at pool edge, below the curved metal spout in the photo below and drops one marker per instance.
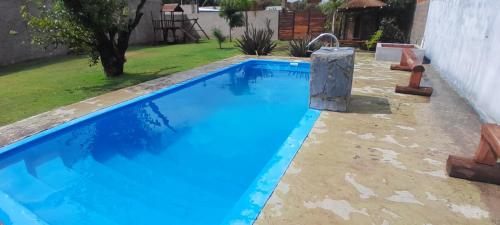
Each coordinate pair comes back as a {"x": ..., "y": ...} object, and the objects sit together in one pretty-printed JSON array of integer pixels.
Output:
[{"x": 331, "y": 79}]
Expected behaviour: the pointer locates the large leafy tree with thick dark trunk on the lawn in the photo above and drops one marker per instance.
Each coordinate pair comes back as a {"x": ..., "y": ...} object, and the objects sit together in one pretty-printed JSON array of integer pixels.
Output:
[{"x": 98, "y": 28}]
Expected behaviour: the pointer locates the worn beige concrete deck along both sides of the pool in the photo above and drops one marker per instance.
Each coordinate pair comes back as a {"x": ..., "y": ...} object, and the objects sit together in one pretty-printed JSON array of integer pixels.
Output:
[{"x": 381, "y": 163}]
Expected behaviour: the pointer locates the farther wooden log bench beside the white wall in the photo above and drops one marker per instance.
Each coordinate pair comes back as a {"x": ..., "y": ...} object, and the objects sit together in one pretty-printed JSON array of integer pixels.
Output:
[{"x": 409, "y": 62}]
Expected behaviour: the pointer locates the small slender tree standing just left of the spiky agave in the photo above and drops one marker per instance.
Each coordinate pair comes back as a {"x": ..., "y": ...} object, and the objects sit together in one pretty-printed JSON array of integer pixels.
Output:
[{"x": 231, "y": 11}]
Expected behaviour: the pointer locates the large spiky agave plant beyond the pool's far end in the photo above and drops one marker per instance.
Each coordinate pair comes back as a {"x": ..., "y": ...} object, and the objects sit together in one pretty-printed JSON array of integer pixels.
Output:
[{"x": 257, "y": 41}]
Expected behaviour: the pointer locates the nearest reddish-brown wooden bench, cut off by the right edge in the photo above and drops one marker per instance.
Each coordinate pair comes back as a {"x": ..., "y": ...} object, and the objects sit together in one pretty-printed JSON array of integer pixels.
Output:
[{"x": 483, "y": 167}]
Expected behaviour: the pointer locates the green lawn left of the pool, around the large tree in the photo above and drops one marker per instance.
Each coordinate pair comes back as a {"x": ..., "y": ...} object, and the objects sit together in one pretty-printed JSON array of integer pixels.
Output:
[{"x": 31, "y": 88}]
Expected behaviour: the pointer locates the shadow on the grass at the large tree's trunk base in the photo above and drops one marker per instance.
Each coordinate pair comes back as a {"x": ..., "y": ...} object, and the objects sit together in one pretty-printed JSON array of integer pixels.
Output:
[{"x": 129, "y": 79}]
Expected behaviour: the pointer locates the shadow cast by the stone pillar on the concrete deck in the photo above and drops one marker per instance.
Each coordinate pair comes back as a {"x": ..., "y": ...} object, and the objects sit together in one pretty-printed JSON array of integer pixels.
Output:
[{"x": 369, "y": 105}]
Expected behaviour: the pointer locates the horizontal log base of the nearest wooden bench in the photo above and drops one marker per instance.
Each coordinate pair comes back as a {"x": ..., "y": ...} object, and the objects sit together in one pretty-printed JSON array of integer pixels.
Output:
[{"x": 465, "y": 168}]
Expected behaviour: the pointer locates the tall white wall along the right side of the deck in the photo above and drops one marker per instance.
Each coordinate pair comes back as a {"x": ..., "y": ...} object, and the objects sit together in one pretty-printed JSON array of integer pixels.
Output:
[{"x": 462, "y": 39}]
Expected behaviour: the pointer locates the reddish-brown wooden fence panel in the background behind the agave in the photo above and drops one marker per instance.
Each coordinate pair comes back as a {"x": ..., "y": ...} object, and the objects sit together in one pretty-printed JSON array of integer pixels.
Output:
[{"x": 296, "y": 25}]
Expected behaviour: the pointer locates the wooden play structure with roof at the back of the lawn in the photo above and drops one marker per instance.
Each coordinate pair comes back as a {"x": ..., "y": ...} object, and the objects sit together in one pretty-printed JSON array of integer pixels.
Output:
[{"x": 173, "y": 23}]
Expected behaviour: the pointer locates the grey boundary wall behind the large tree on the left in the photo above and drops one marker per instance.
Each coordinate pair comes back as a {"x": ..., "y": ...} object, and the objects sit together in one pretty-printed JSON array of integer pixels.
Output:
[{"x": 15, "y": 40}]
